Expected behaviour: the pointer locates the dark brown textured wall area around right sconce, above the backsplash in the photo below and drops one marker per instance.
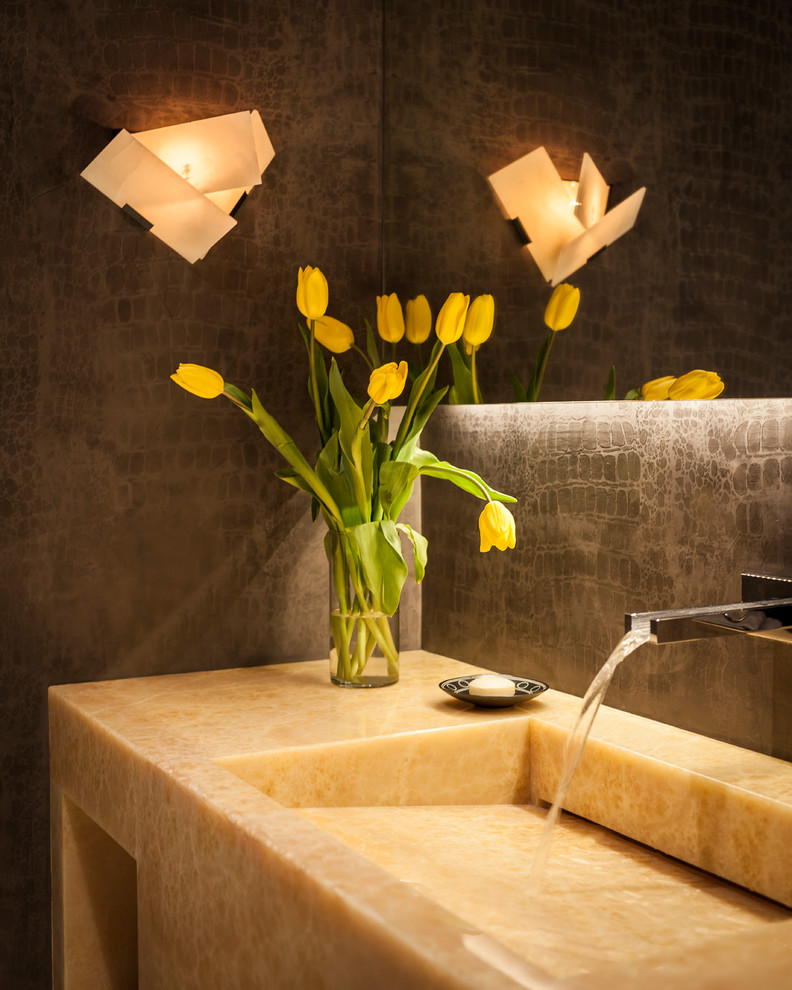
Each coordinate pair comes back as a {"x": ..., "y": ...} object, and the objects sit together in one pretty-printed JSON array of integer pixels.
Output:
[{"x": 692, "y": 100}]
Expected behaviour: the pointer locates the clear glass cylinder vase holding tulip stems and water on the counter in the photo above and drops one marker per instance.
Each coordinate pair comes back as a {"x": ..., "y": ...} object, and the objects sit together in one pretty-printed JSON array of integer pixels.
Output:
[{"x": 364, "y": 642}]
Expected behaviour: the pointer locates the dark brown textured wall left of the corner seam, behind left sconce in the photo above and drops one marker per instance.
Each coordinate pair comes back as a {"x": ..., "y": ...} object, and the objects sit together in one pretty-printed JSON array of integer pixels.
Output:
[{"x": 143, "y": 531}]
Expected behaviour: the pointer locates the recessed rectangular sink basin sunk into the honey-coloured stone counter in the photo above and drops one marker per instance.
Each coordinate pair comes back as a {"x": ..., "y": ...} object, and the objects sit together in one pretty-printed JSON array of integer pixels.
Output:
[{"x": 457, "y": 814}]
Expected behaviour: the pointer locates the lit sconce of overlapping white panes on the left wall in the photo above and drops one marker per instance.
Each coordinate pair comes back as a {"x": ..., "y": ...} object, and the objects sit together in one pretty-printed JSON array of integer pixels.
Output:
[{"x": 183, "y": 182}]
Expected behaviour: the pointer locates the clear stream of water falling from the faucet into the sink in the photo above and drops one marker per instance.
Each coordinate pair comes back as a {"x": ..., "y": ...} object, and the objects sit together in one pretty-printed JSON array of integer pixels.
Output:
[{"x": 577, "y": 741}]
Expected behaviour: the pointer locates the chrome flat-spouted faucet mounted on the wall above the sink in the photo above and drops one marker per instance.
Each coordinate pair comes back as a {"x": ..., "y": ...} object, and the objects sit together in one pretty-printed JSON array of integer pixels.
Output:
[{"x": 766, "y": 610}]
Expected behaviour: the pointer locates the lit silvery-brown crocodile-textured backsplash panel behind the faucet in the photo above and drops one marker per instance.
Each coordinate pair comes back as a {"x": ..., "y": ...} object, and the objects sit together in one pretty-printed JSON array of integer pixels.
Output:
[{"x": 622, "y": 507}]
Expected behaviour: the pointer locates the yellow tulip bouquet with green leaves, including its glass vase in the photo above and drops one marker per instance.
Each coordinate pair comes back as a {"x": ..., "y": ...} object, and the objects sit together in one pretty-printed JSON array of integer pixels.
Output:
[{"x": 362, "y": 478}]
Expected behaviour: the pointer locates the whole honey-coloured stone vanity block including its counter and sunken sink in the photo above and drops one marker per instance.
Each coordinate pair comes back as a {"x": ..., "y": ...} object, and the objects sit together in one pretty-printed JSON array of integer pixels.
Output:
[{"x": 285, "y": 833}]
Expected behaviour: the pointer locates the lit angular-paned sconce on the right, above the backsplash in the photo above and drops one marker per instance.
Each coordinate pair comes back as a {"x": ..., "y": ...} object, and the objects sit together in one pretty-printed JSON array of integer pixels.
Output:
[{"x": 564, "y": 223}]
